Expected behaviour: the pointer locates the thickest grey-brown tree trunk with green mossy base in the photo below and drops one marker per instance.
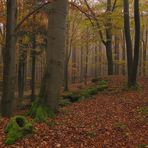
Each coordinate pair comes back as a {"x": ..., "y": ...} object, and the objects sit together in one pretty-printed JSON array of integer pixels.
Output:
[{"x": 53, "y": 73}]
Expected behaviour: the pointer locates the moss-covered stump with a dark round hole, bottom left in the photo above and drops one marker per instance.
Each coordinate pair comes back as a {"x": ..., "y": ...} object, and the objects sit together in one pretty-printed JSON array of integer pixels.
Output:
[{"x": 17, "y": 128}]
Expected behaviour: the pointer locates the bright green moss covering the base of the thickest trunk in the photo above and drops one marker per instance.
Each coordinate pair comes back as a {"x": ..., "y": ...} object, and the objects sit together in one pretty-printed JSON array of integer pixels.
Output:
[{"x": 39, "y": 112}]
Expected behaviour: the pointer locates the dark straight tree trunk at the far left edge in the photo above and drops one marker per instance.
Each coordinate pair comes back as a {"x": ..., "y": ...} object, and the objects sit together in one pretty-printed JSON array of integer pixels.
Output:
[{"x": 9, "y": 76}]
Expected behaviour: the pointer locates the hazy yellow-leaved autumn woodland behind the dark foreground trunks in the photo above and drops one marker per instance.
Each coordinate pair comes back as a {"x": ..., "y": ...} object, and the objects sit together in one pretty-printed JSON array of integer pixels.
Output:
[{"x": 85, "y": 56}]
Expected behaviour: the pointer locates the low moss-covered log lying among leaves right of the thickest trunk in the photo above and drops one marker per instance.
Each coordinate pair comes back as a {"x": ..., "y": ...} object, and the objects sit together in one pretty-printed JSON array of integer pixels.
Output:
[{"x": 85, "y": 93}]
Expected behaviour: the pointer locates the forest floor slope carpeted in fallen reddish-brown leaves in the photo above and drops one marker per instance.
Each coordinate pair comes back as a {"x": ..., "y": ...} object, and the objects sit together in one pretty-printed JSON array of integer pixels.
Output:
[{"x": 112, "y": 119}]
